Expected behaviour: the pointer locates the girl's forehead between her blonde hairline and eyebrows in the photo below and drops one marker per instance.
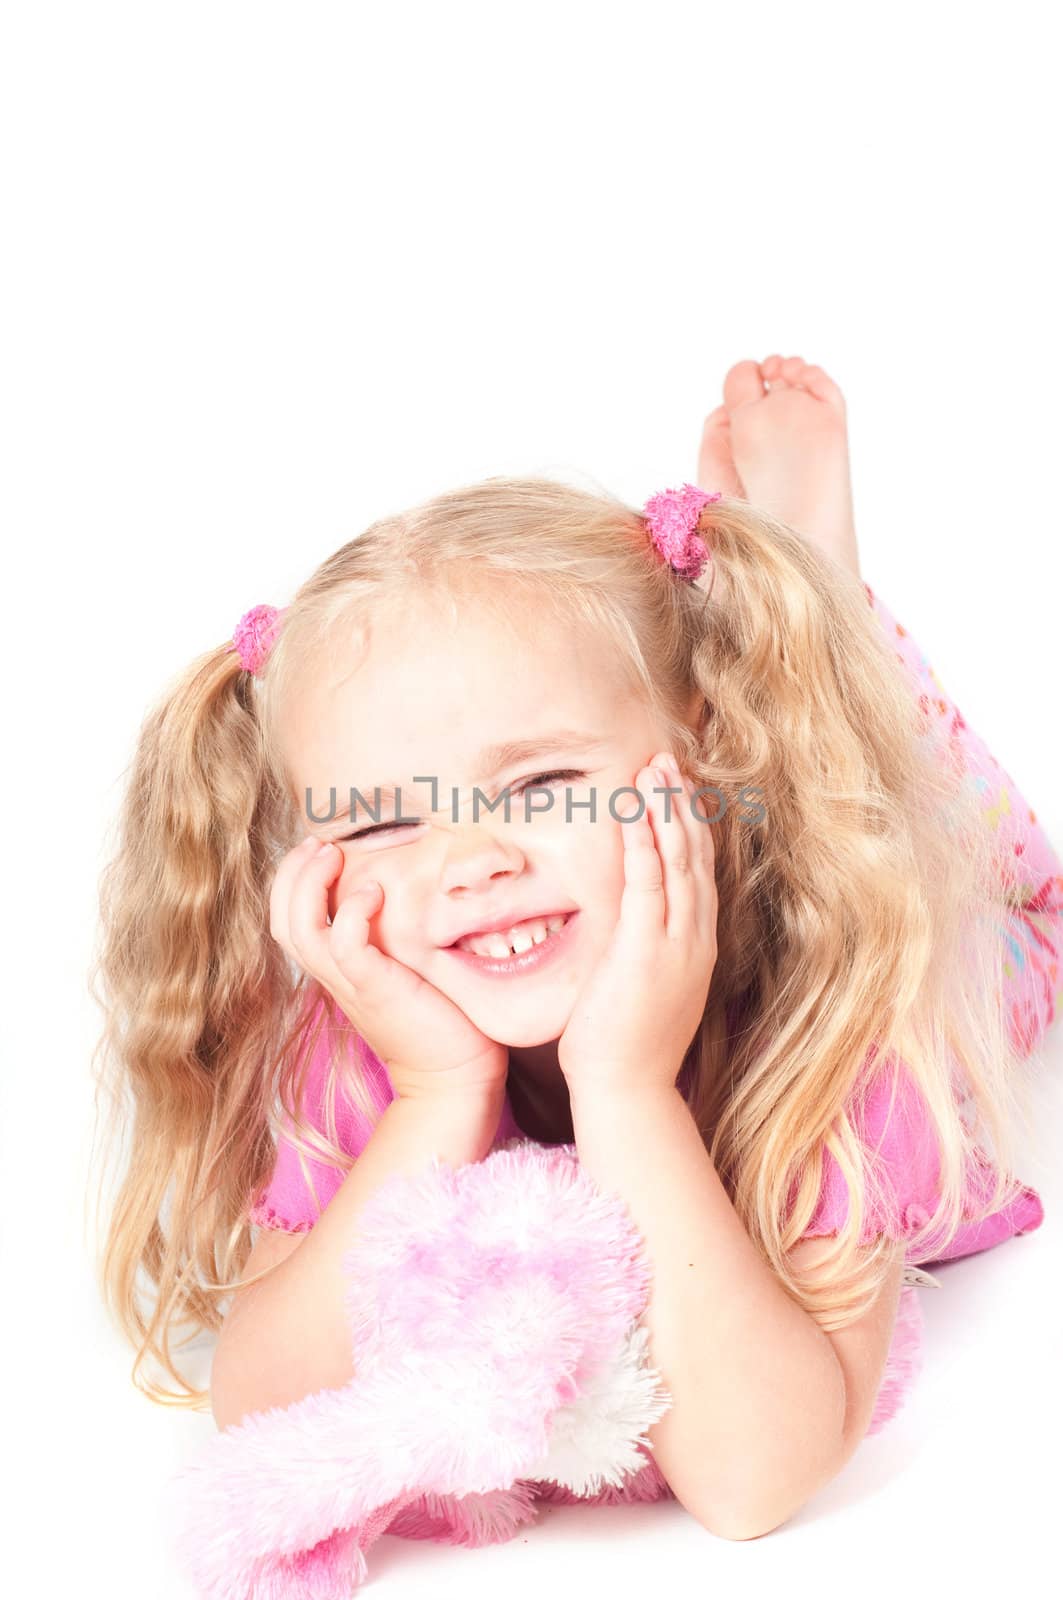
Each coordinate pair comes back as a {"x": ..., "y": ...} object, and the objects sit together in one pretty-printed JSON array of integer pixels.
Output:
[{"x": 420, "y": 692}]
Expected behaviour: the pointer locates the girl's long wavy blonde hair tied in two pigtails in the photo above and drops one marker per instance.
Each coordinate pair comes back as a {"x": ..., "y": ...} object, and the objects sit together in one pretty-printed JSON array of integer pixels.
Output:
[{"x": 857, "y": 918}]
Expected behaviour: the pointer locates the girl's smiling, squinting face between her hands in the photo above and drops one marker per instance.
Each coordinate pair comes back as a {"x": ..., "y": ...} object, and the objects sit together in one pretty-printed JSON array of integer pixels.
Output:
[{"x": 443, "y": 703}]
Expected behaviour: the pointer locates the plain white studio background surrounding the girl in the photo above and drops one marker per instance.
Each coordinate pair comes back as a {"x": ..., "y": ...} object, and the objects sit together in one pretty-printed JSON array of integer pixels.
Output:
[{"x": 273, "y": 271}]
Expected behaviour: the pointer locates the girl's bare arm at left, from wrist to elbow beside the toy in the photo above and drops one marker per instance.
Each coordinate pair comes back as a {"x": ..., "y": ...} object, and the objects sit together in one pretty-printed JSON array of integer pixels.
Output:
[{"x": 289, "y": 1335}]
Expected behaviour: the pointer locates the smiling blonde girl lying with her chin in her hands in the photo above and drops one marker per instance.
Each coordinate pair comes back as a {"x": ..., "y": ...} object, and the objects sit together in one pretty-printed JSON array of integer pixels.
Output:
[{"x": 540, "y": 817}]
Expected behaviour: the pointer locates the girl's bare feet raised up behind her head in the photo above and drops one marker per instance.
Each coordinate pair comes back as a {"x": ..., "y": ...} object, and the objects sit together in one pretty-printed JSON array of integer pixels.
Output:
[{"x": 780, "y": 442}]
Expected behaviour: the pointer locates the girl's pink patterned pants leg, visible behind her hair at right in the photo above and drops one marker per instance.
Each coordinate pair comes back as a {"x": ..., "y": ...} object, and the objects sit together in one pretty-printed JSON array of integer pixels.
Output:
[{"x": 1032, "y": 873}]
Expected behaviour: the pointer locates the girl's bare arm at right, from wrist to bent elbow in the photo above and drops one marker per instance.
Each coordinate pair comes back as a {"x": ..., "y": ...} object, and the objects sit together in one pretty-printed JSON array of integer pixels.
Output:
[{"x": 766, "y": 1407}]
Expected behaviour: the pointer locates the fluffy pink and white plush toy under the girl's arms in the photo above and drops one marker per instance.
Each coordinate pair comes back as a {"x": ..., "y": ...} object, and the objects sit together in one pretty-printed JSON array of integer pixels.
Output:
[{"x": 499, "y": 1361}]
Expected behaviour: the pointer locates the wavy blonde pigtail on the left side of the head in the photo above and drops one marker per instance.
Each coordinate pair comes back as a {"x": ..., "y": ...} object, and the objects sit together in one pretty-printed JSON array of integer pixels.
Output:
[{"x": 191, "y": 986}]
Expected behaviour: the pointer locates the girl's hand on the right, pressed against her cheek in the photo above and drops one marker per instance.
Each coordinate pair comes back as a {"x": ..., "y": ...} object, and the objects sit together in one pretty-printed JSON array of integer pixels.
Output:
[{"x": 643, "y": 1004}]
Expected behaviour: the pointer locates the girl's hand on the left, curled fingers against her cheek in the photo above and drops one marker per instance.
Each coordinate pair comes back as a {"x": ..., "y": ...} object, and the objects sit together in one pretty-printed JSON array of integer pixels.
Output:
[{"x": 427, "y": 1042}]
